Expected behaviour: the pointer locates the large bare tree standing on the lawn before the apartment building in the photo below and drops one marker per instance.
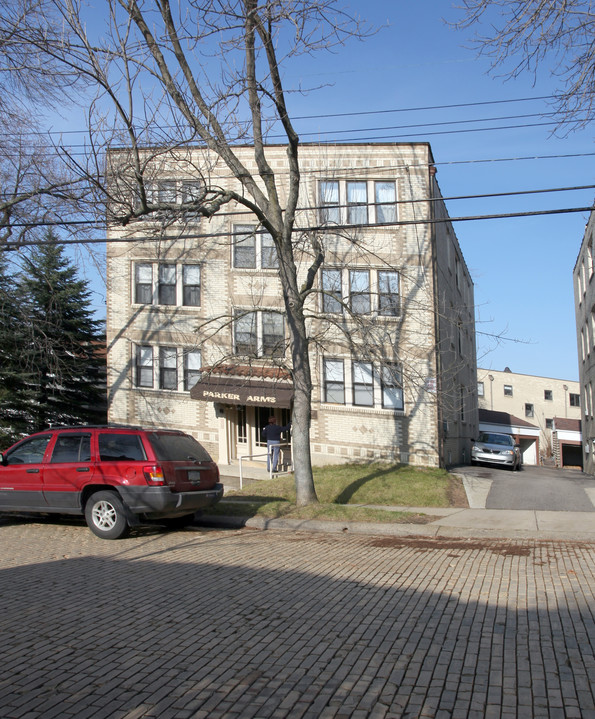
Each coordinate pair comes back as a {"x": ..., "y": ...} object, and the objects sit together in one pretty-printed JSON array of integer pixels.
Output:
[{"x": 207, "y": 73}]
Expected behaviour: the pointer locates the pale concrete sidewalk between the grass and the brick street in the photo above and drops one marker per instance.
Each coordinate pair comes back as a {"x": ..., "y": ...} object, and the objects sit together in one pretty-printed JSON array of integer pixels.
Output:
[{"x": 447, "y": 522}]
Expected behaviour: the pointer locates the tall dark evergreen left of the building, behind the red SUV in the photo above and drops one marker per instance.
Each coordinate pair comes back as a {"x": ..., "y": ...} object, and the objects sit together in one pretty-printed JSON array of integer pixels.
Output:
[{"x": 64, "y": 358}]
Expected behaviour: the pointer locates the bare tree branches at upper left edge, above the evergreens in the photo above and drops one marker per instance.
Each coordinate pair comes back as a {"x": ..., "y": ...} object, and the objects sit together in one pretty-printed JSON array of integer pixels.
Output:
[{"x": 37, "y": 188}]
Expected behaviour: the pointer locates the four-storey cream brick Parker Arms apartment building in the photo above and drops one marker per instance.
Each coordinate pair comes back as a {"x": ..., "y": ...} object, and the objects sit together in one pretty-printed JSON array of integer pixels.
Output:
[{"x": 197, "y": 337}]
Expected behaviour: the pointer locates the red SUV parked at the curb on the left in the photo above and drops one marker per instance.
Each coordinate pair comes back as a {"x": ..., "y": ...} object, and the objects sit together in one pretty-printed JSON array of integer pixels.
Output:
[{"x": 115, "y": 476}]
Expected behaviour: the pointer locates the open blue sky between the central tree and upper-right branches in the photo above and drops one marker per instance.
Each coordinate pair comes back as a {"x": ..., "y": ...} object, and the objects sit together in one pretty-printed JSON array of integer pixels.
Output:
[{"x": 522, "y": 267}]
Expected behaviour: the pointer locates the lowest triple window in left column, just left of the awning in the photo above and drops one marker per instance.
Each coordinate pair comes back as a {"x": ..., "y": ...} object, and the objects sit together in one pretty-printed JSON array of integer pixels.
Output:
[{"x": 167, "y": 361}]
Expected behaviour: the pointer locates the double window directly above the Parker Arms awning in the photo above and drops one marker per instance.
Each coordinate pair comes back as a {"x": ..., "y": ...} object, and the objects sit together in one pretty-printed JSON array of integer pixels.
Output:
[{"x": 259, "y": 333}]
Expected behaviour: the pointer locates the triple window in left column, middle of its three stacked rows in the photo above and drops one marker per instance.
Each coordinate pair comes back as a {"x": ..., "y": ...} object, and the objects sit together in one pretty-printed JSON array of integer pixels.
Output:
[{"x": 167, "y": 283}]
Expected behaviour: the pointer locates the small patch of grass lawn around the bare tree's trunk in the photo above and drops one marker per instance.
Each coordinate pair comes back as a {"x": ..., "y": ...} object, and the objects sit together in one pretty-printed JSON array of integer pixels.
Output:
[{"x": 350, "y": 492}]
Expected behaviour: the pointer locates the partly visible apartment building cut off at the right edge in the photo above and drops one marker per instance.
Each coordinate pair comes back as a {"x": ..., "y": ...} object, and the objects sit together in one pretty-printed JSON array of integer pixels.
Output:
[{"x": 584, "y": 304}]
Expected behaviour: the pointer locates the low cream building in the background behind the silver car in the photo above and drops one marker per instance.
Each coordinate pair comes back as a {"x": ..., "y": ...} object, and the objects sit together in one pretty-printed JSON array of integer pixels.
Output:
[{"x": 533, "y": 407}]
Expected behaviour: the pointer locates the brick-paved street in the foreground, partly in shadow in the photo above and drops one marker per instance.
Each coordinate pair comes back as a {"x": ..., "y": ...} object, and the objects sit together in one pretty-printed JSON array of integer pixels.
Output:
[{"x": 241, "y": 623}]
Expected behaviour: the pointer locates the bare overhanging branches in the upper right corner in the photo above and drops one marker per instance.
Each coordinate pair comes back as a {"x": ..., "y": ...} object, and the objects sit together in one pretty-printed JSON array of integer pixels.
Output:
[{"x": 522, "y": 36}]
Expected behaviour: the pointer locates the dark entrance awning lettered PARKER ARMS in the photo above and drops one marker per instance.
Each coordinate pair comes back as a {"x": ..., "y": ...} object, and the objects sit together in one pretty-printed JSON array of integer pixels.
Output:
[{"x": 245, "y": 390}]
